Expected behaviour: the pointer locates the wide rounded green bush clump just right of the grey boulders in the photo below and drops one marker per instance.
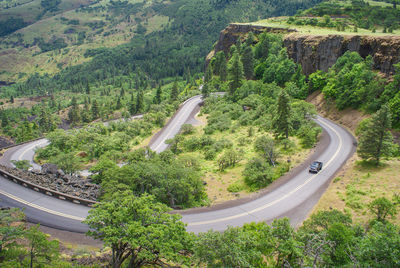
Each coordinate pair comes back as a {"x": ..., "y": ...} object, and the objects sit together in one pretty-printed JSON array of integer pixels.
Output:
[{"x": 172, "y": 181}]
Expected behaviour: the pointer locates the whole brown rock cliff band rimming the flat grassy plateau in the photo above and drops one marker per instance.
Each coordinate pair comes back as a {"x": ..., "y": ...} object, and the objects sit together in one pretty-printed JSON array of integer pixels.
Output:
[{"x": 320, "y": 52}]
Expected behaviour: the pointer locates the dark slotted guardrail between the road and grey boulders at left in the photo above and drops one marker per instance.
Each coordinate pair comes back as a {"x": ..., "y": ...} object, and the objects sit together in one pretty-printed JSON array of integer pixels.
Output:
[{"x": 47, "y": 191}]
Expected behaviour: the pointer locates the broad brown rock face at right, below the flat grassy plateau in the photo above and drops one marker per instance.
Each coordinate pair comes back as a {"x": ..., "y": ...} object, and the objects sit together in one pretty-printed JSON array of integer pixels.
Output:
[{"x": 320, "y": 52}]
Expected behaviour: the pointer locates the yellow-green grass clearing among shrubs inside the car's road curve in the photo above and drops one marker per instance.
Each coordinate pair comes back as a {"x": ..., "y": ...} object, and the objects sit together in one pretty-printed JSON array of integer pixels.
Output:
[{"x": 229, "y": 184}]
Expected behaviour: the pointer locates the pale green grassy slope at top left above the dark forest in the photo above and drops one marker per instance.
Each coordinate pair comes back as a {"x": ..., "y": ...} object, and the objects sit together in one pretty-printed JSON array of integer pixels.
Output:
[{"x": 19, "y": 56}]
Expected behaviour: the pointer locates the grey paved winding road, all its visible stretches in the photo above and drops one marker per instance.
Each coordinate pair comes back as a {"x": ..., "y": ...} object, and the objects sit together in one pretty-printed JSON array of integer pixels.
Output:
[{"x": 294, "y": 199}]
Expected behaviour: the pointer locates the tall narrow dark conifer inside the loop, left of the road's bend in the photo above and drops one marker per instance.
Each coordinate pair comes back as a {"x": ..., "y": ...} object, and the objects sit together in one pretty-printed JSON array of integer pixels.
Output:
[{"x": 282, "y": 120}]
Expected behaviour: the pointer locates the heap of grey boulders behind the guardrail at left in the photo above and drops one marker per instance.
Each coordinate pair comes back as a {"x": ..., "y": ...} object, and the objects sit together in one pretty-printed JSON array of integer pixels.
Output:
[{"x": 56, "y": 180}]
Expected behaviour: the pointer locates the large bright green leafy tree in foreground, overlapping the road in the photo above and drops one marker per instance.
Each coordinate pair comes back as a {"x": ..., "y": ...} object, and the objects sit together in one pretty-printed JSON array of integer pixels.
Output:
[{"x": 139, "y": 231}]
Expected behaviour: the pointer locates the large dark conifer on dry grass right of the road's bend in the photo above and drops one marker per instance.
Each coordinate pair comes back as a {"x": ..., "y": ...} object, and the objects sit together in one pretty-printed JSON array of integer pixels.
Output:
[{"x": 375, "y": 140}]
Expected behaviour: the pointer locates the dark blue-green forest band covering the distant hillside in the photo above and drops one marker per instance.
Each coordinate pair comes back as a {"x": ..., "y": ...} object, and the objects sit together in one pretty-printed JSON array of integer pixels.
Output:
[{"x": 178, "y": 49}]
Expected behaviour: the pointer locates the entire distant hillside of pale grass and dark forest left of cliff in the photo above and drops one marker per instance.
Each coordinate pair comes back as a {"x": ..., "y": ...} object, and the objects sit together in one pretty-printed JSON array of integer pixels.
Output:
[{"x": 158, "y": 36}]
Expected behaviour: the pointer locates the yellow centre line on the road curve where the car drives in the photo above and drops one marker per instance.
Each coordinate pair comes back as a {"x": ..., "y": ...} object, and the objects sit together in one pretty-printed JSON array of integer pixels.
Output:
[{"x": 279, "y": 199}]
